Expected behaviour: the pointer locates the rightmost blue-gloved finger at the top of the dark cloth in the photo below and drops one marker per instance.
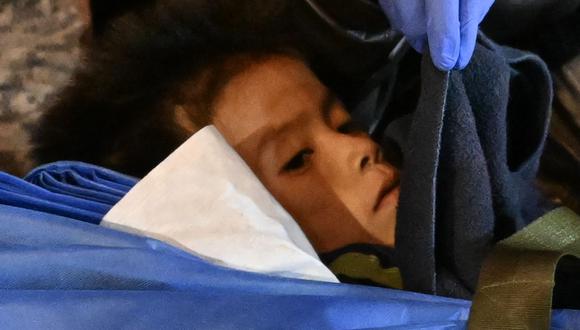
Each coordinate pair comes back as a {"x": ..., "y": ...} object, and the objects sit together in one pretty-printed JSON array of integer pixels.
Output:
[{"x": 470, "y": 15}]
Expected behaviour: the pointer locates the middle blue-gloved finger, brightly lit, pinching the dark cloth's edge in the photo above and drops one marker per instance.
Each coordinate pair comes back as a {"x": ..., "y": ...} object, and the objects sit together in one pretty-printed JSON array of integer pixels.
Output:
[{"x": 443, "y": 33}]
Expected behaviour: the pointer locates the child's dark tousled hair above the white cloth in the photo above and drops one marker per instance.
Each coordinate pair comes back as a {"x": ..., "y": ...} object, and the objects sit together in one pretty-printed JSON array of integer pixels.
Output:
[{"x": 144, "y": 60}]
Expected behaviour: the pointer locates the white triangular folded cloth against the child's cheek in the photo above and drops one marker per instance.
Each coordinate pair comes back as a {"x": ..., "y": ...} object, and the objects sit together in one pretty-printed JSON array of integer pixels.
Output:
[{"x": 205, "y": 200}]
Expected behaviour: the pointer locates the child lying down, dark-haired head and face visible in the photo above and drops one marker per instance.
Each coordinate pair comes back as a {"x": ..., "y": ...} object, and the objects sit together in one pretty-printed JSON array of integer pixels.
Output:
[{"x": 128, "y": 112}]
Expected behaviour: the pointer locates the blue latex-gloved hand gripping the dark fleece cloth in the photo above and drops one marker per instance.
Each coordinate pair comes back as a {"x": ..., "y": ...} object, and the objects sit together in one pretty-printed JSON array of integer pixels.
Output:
[{"x": 448, "y": 26}]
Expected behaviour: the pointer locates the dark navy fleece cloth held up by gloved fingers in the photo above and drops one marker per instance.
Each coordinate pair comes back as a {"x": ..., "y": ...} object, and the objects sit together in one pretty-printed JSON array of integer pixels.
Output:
[{"x": 471, "y": 151}]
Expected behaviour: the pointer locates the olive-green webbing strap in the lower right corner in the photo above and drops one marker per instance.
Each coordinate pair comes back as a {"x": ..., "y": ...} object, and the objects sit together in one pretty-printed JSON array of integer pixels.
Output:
[{"x": 517, "y": 278}]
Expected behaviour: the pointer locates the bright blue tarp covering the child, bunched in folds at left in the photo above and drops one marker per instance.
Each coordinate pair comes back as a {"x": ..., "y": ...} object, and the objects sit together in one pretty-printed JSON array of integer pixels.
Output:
[{"x": 58, "y": 272}]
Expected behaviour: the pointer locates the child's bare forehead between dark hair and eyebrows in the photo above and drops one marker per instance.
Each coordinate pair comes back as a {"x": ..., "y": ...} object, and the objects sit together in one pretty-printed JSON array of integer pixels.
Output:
[{"x": 267, "y": 96}]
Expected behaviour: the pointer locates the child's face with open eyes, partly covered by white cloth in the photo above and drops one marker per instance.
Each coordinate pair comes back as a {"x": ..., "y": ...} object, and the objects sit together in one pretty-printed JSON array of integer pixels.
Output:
[{"x": 297, "y": 138}]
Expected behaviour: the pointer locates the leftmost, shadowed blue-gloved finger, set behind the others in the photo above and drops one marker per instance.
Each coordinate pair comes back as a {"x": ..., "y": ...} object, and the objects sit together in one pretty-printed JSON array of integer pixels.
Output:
[{"x": 407, "y": 16}]
